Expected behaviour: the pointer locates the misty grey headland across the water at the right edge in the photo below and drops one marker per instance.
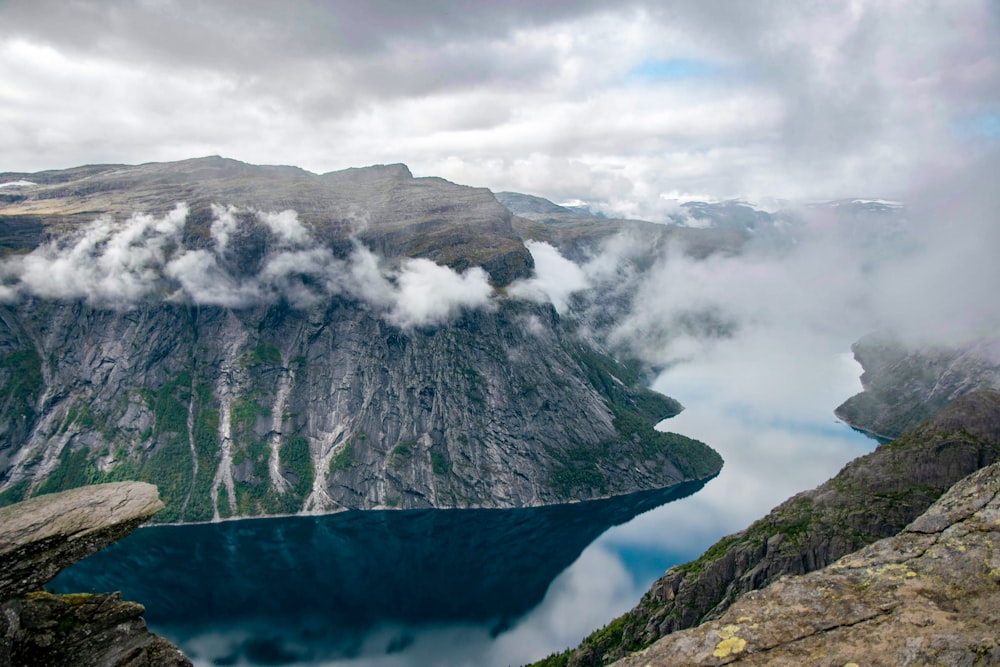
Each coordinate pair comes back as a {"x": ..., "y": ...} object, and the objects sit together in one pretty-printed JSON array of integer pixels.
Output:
[{"x": 905, "y": 384}]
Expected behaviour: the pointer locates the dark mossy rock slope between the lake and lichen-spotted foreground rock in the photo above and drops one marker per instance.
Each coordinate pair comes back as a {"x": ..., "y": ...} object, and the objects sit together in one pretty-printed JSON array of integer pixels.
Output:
[{"x": 872, "y": 498}]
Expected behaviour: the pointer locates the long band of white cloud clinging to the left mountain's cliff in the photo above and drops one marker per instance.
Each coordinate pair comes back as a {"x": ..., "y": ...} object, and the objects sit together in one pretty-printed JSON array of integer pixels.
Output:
[{"x": 118, "y": 264}]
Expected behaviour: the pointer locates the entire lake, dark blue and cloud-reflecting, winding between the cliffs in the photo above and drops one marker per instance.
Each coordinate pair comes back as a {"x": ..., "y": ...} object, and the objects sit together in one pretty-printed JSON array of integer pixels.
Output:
[{"x": 480, "y": 587}]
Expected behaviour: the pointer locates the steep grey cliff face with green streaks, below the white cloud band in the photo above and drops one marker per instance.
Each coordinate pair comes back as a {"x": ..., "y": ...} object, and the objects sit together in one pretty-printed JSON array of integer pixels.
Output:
[{"x": 278, "y": 410}]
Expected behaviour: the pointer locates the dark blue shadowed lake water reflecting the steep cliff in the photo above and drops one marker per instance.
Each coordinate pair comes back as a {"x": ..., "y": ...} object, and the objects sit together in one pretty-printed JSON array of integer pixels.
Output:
[{"x": 316, "y": 589}]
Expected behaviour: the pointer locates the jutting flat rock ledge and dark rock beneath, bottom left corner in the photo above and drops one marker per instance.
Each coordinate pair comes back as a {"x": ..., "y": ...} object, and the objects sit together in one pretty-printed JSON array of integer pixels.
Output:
[{"x": 41, "y": 536}]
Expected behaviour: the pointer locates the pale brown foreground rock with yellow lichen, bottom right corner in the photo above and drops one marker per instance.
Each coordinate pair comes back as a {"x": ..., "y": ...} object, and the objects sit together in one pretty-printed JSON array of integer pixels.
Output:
[{"x": 928, "y": 596}]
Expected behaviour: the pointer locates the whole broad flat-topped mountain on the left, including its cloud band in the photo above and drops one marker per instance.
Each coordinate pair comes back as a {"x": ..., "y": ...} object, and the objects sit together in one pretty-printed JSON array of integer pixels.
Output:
[{"x": 263, "y": 340}]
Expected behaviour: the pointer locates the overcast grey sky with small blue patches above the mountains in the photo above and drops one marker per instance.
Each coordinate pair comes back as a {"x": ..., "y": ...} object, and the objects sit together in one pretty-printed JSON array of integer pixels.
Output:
[{"x": 617, "y": 103}]
